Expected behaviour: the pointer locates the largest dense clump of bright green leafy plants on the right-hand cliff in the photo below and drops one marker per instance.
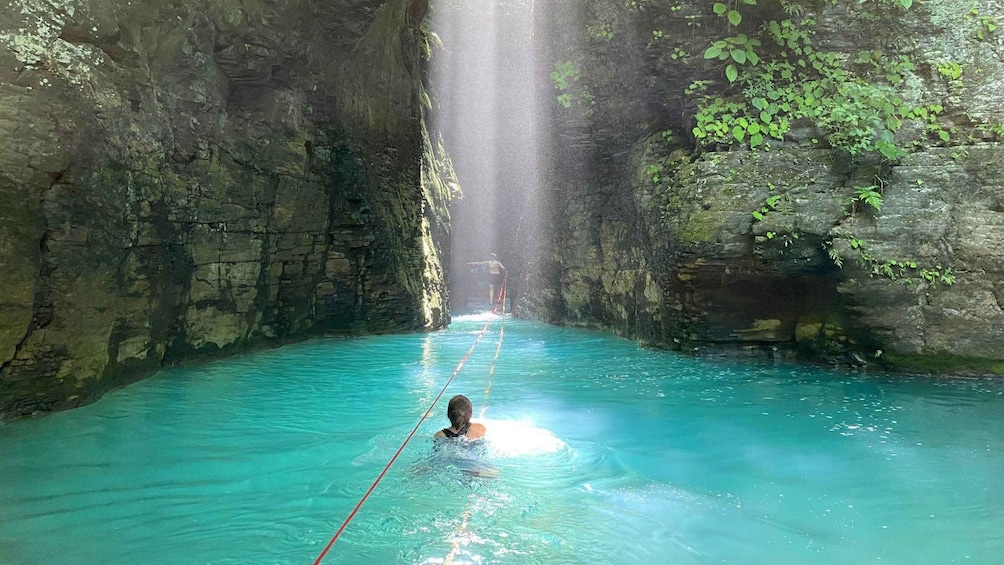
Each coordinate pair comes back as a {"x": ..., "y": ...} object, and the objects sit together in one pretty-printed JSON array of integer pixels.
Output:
[{"x": 799, "y": 83}]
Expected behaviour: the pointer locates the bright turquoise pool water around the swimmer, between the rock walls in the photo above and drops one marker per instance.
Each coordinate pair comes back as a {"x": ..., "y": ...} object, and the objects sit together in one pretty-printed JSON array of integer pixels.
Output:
[{"x": 607, "y": 454}]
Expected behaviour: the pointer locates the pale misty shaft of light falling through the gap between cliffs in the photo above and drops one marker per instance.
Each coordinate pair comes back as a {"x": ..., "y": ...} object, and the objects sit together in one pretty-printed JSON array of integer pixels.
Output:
[{"x": 488, "y": 87}]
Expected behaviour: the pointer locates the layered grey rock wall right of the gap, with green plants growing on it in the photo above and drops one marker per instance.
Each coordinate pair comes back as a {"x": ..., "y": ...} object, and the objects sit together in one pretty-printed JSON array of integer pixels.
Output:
[{"x": 778, "y": 251}]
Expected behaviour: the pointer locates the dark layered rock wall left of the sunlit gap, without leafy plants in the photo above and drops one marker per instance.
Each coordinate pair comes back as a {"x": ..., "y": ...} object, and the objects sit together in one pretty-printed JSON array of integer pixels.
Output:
[{"x": 188, "y": 178}]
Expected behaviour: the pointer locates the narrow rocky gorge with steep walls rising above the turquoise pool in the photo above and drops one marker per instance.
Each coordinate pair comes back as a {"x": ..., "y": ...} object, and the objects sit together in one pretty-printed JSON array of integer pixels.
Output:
[{"x": 769, "y": 180}]
